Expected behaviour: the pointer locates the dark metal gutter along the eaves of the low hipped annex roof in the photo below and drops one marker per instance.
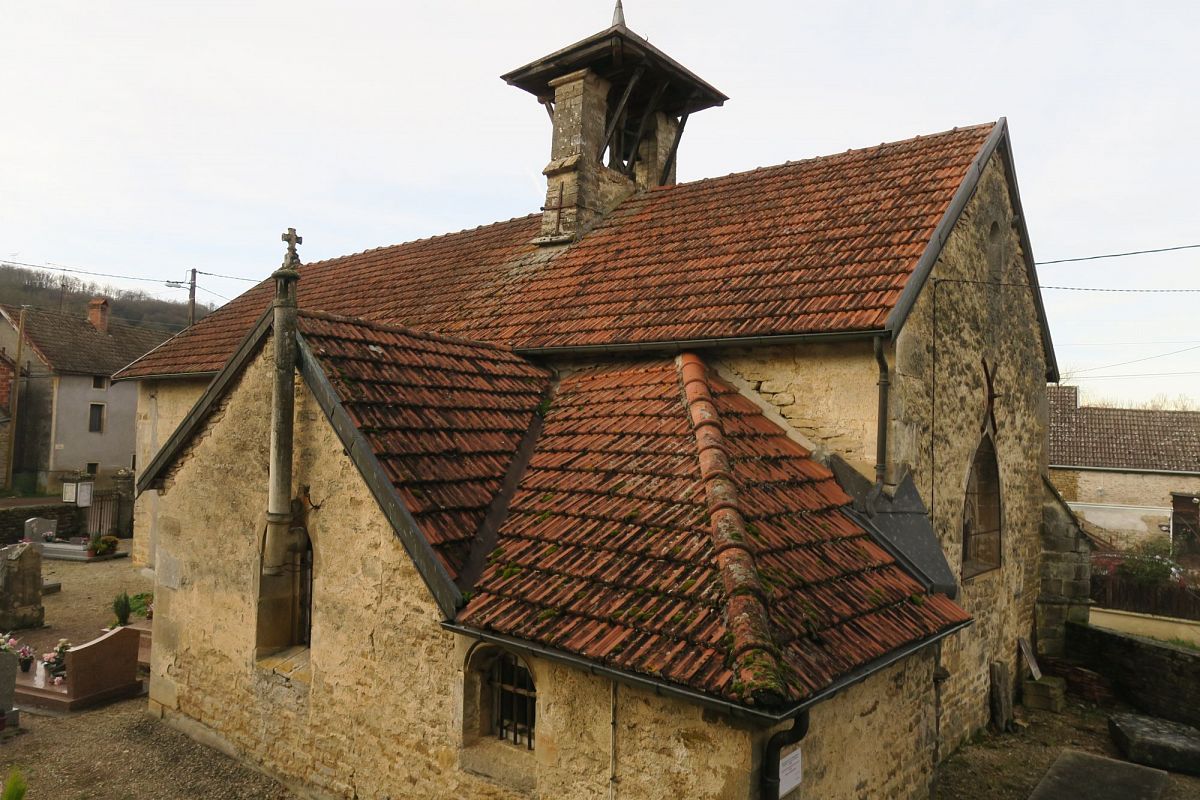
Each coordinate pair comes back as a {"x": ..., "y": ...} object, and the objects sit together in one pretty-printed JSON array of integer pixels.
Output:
[{"x": 664, "y": 689}]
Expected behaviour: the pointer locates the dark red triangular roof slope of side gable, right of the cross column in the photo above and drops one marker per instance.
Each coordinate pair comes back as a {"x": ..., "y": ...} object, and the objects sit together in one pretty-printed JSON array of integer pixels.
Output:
[{"x": 443, "y": 417}]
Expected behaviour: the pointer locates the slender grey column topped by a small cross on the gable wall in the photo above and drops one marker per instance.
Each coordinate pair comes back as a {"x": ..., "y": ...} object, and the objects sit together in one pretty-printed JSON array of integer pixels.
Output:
[{"x": 279, "y": 500}]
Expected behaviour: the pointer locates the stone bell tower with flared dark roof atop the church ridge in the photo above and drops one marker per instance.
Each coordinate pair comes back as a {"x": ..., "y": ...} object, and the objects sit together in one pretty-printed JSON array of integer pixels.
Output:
[{"x": 611, "y": 95}]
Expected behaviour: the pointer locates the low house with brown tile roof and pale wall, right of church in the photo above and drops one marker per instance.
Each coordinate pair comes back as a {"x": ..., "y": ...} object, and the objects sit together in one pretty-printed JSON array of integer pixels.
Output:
[{"x": 1119, "y": 467}]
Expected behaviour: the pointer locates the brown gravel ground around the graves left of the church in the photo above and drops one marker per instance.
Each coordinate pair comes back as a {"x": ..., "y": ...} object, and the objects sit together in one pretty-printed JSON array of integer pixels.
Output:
[{"x": 116, "y": 753}]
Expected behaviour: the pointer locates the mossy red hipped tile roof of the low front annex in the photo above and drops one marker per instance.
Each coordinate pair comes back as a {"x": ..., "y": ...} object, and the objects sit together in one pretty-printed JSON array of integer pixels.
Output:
[{"x": 665, "y": 527}]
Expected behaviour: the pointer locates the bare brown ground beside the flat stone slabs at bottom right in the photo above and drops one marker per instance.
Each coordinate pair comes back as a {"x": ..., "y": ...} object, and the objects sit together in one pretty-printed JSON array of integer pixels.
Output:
[{"x": 1007, "y": 767}]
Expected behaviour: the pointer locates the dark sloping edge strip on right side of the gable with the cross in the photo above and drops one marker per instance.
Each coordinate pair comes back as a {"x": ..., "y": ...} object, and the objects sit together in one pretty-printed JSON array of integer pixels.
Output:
[{"x": 442, "y": 587}]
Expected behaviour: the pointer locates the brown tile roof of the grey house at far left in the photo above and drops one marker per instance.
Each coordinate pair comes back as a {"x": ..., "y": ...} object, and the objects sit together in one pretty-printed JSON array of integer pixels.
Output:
[{"x": 71, "y": 345}]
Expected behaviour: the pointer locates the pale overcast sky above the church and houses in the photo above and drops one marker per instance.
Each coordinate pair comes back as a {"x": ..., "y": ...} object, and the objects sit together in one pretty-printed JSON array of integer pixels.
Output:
[{"x": 147, "y": 139}]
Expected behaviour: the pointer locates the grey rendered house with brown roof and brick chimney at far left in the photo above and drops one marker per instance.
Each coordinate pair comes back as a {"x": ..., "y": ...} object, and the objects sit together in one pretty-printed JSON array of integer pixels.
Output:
[{"x": 71, "y": 417}]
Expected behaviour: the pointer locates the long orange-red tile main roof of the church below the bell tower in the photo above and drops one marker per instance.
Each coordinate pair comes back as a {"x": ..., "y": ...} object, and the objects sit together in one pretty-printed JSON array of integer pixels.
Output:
[{"x": 824, "y": 245}]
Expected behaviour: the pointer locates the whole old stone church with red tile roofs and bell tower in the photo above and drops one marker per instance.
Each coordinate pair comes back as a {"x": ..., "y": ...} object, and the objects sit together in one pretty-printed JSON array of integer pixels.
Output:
[{"x": 730, "y": 489}]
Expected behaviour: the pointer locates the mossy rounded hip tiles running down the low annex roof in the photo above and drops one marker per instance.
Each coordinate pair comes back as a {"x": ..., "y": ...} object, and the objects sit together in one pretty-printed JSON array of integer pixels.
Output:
[{"x": 754, "y": 651}]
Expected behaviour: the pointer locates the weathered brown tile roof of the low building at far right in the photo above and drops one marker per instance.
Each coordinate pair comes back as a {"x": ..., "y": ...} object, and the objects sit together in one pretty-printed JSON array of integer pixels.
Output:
[{"x": 1121, "y": 438}]
